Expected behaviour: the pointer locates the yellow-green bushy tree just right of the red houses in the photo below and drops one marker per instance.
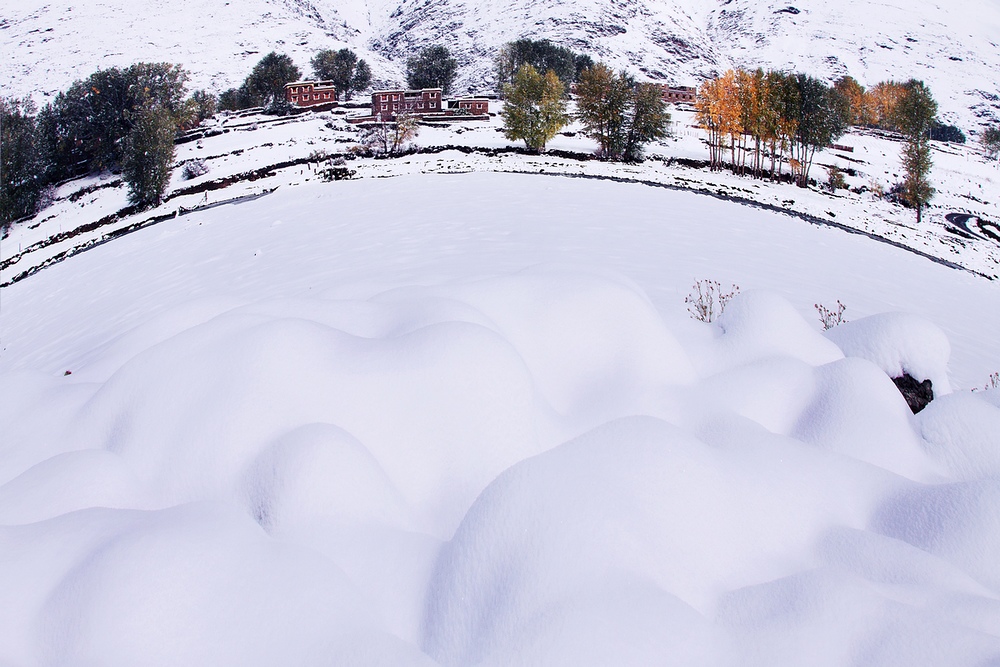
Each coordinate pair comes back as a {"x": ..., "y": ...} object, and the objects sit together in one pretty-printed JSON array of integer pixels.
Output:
[{"x": 534, "y": 110}]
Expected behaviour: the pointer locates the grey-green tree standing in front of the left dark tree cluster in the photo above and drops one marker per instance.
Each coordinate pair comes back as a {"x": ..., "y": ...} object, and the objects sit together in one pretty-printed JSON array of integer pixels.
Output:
[{"x": 149, "y": 153}]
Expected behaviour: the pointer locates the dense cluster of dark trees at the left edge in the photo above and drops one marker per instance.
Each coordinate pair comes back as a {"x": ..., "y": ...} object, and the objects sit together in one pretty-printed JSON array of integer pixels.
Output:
[{"x": 118, "y": 119}]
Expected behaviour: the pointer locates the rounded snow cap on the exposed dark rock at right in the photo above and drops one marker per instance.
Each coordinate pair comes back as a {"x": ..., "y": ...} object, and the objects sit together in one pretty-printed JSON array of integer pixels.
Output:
[{"x": 898, "y": 343}]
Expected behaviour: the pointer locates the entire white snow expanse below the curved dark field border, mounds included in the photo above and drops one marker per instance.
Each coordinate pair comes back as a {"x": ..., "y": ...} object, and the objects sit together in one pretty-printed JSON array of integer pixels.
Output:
[{"x": 466, "y": 419}]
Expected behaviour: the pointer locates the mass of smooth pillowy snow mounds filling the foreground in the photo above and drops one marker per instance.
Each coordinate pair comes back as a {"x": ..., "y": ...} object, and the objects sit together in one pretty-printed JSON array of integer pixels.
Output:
[{"x": 529, "y": 468}]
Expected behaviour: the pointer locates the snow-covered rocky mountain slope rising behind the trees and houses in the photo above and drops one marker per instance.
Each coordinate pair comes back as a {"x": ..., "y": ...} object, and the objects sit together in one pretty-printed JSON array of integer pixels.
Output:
[{"x": 953, "y": 47}]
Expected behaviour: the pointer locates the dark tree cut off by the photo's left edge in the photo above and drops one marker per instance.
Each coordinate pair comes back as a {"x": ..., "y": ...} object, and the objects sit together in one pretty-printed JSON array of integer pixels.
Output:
[{"x": 21, "y": 164}]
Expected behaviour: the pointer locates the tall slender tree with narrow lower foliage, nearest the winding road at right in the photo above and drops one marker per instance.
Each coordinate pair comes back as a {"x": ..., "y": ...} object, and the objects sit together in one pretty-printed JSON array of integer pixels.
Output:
[{"x": 914, "y": 117}]
